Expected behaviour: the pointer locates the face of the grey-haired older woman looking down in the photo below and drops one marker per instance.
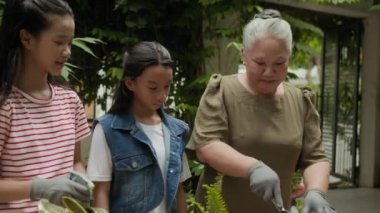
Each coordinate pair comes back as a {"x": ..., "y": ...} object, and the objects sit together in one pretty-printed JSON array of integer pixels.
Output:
[{"x": 266, "y": 63}]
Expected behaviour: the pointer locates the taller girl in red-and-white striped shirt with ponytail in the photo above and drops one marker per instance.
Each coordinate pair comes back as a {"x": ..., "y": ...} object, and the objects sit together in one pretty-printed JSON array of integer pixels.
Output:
[{"x": 41, "y": 123}]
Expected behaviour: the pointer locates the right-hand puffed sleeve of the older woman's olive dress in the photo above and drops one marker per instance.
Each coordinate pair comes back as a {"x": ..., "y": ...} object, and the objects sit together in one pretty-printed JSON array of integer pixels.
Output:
[{"x": 312, "y": 150}]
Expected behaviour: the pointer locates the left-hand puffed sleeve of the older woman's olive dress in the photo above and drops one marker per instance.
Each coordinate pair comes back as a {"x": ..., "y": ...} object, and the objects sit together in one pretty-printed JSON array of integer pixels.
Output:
[{"x": 211, "y": 118}]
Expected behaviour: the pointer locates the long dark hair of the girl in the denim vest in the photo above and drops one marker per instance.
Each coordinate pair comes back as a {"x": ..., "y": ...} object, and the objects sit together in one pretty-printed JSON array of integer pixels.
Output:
[{"x": 136, "y": 60}]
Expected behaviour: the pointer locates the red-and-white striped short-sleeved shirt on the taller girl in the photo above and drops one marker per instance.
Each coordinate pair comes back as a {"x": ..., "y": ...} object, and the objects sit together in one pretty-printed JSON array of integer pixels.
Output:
[{"x": 38, "y": 136}]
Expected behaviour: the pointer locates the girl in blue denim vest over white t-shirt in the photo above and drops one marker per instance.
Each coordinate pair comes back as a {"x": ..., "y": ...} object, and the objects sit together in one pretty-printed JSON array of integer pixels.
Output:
[{"x": 137, "y": 159}]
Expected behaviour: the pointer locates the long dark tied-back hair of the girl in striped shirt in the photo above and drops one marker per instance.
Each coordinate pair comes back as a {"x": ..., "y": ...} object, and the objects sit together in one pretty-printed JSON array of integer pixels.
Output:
[{"x": 32, "y": 16}]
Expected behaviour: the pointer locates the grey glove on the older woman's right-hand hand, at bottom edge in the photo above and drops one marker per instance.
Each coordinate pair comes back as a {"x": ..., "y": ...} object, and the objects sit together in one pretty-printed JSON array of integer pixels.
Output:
[{"x": 315, "y": 202}]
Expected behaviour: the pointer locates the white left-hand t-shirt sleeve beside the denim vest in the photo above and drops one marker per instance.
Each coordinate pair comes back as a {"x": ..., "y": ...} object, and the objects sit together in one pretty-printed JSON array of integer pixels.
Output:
[{"x": 99, "y": 167}]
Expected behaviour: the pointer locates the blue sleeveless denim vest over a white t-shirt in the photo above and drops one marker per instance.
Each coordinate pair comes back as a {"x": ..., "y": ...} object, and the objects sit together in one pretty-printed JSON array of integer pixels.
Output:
[{"x": 137, "y": 184}]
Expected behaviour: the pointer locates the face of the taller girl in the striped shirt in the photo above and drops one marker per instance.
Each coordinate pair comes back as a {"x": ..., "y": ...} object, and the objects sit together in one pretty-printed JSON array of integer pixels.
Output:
[{"x": 49, "y": 51}]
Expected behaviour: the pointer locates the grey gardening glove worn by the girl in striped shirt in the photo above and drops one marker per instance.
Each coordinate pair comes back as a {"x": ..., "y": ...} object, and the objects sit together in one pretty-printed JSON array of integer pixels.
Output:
[{"x": 54, "y": 189}]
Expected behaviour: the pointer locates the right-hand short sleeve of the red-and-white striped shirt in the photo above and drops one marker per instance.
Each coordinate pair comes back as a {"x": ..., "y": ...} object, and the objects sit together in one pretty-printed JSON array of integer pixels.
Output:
[{"x": 82, "y": 129}]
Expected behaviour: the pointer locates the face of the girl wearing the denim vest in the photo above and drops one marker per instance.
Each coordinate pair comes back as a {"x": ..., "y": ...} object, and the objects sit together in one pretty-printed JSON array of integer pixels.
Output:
[{"x": 151, "y": 88}]
